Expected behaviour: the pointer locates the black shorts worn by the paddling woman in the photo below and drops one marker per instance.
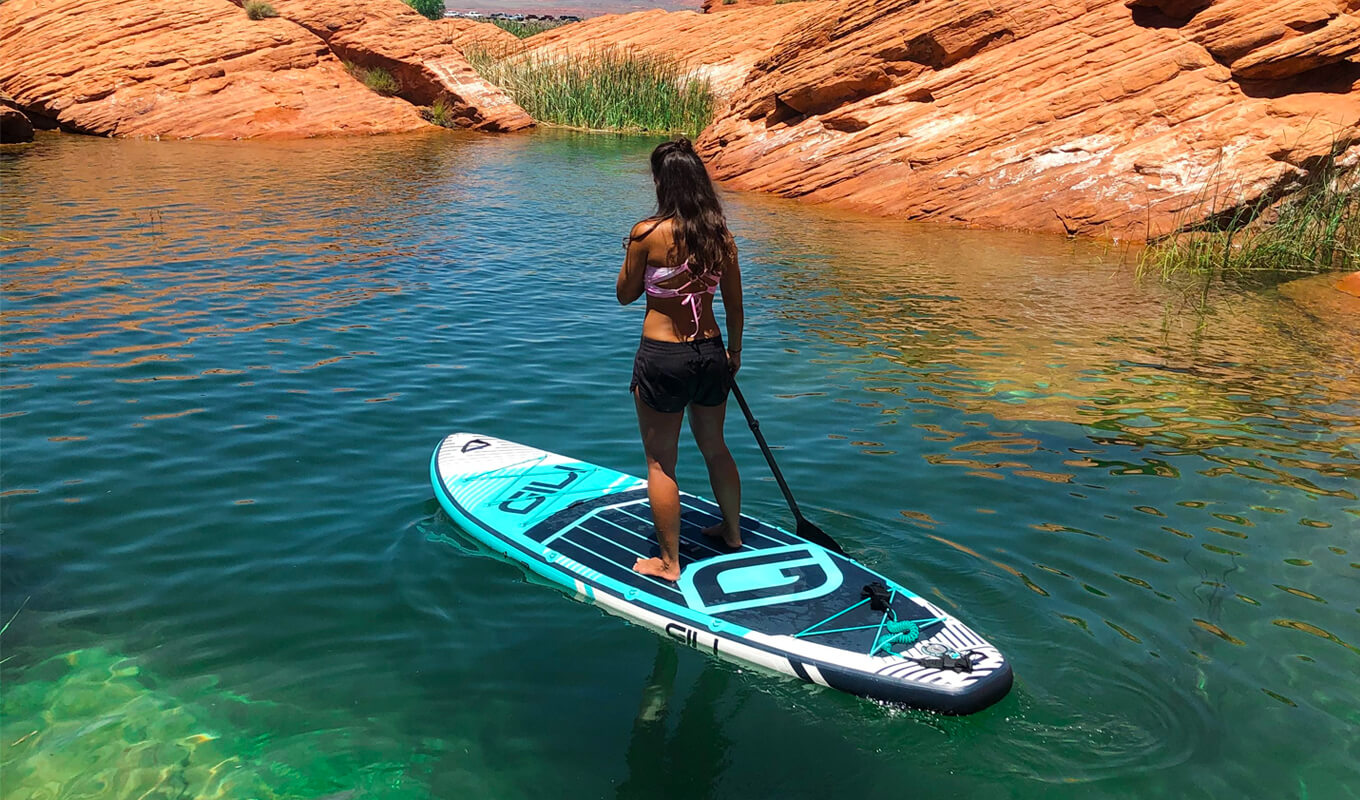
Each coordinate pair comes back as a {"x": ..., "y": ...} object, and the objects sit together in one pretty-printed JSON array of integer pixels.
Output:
[{"x": 670, "y": 376}]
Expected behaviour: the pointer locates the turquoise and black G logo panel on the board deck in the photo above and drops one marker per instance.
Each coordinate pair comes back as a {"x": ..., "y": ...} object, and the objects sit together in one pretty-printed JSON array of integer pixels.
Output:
[{"x": 766, "y": 578}]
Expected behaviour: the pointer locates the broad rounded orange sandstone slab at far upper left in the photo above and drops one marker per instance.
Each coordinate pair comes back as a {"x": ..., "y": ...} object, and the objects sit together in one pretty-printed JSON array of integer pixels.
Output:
[{"x": 183, "y": 69}]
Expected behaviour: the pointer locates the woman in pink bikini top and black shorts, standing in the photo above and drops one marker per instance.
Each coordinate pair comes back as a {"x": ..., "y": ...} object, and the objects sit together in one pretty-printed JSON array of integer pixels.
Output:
[{"x": 679, "y": 258}]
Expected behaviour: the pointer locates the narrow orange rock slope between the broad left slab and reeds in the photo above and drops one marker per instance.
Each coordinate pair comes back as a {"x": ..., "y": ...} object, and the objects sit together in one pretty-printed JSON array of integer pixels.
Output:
[{"x": 420, "y": 54}]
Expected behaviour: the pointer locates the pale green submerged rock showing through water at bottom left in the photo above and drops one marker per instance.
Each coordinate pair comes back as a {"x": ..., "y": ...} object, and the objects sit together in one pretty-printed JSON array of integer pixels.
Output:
[{"x": 93, "y": 723}]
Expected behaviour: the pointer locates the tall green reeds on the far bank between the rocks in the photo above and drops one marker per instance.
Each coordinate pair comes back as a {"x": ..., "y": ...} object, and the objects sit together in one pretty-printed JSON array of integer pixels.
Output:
[{"x": 609, "y": 89}]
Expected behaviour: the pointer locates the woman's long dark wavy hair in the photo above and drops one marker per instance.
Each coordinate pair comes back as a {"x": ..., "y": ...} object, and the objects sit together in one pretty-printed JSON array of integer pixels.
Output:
[{"x": 686, "y": 197}]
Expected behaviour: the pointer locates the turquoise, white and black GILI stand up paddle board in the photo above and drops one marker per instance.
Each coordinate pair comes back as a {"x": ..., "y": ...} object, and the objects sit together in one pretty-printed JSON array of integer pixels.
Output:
[{"x": 780, "y": 602}]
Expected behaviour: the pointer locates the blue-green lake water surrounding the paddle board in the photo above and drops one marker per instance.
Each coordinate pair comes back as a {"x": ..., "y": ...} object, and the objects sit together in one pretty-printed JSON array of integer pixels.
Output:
[{"x": 226, "y": 367}]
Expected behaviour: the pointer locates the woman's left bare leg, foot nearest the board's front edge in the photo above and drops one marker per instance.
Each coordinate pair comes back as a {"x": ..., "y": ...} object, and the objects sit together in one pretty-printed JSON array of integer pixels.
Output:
[{"x": 660, "y": 440}]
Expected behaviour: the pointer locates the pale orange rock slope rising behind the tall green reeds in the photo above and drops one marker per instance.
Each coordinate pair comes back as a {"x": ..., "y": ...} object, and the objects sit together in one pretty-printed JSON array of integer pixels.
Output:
[{"x": 724, "y": 48}]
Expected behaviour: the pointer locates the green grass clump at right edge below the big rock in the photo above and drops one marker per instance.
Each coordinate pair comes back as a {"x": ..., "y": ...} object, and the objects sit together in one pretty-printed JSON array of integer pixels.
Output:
[{"x": 1314, "y": 231}]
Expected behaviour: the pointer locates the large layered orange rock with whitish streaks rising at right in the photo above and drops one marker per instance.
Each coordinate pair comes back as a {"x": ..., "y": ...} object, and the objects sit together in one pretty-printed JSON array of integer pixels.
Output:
[{"x": 1071, "y": 116}]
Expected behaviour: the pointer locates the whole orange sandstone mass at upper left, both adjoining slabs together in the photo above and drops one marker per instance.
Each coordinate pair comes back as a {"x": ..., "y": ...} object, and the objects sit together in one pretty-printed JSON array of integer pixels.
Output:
[{"x": 202, "y": 69}]
